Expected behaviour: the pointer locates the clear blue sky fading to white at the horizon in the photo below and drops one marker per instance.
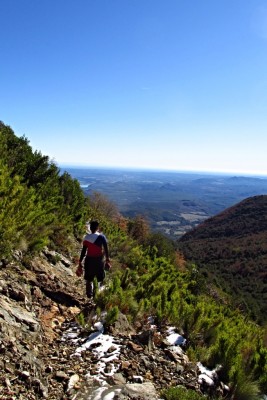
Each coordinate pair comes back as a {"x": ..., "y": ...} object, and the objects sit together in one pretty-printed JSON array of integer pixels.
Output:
[{"x": 173, "y": 84}]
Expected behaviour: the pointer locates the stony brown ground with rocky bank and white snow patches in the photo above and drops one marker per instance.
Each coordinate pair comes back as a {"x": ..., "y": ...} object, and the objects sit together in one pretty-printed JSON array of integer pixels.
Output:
[{"x": 53, "y": 346}]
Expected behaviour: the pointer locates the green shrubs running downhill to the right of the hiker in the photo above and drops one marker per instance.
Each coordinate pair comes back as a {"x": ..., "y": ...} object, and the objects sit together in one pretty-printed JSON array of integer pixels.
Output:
[{"x": 216, "y": 333}]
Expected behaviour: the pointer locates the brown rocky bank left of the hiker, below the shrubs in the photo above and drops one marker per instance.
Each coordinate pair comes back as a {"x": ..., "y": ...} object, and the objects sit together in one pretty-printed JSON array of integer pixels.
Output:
[{"x": 29, "y": 318}]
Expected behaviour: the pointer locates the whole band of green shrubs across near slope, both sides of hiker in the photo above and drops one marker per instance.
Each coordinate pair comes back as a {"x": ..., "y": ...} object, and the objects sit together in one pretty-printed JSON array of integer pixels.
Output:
[{"x": 39, "y": 208}]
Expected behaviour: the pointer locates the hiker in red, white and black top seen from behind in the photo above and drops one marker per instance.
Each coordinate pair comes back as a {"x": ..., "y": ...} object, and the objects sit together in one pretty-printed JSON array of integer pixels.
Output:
[{"x": 94, "y": 248}]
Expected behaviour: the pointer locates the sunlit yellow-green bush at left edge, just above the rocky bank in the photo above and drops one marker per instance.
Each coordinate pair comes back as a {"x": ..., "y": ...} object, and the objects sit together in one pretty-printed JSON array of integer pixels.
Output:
[{"x": 24, "y": 220}]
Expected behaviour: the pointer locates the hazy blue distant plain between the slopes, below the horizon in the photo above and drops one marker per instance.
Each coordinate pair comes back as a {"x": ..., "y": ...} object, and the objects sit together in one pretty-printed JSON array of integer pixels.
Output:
[{"x": 172, "y": 202}]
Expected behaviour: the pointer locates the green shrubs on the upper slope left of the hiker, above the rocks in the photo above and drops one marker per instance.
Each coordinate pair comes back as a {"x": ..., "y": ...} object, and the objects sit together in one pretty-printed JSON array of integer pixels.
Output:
[{"x": 37, "y": 206}]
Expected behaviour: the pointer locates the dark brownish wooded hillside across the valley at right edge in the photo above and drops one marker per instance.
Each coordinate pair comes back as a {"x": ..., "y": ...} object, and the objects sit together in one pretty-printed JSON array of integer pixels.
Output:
[{"x": 231, "y": 251}]
